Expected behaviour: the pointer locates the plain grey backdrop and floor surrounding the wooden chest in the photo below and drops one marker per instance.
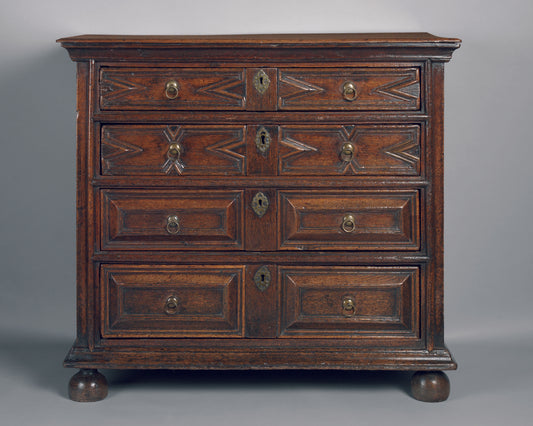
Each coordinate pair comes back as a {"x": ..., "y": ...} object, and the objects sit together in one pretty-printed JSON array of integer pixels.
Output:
[{"x": 489, "y": 202}]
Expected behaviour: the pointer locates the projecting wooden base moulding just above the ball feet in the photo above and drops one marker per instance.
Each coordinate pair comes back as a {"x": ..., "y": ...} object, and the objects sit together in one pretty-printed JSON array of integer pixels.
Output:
[{"x": 264, "y": 357}]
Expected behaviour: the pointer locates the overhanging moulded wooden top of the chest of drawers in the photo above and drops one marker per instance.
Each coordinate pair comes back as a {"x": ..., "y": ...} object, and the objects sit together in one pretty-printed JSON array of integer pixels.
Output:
[{"x": 83, "y": 47}]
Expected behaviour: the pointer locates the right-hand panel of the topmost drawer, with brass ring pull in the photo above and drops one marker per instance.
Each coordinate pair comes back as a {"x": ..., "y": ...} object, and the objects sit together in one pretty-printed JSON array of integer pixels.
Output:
[{"x": 365, "y": 89}]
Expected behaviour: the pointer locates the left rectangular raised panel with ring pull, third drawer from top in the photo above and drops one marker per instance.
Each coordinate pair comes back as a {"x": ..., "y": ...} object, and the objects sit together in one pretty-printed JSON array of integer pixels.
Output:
[{"x": 171, "y": 220}]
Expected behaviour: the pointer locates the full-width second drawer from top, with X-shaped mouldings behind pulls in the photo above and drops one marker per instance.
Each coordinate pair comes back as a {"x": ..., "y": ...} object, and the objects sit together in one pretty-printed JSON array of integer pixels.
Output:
[{"x": 220, "y": 150}]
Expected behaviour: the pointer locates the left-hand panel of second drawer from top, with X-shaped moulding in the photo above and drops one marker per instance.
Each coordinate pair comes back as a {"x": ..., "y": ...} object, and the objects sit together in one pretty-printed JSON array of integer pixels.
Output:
[{"x": 155, "y": 150}]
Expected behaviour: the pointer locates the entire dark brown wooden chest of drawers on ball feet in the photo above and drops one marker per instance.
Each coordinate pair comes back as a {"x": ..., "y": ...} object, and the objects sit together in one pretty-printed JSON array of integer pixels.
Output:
[{"x": 260, "y": 202}]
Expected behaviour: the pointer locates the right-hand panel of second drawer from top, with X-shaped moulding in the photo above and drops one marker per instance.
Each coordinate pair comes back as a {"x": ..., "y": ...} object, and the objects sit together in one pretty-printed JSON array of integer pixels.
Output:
[{"x": 350, "y": 150}]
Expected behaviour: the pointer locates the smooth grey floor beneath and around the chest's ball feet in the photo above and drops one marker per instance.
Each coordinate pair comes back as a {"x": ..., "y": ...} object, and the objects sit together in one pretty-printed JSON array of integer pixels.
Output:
[{"x": 493, "y": 386}]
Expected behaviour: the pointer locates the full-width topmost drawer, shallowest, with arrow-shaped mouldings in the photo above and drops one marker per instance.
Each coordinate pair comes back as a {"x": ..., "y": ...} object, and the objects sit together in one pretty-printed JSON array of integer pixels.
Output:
[{"x": 164, "y": 88}]
